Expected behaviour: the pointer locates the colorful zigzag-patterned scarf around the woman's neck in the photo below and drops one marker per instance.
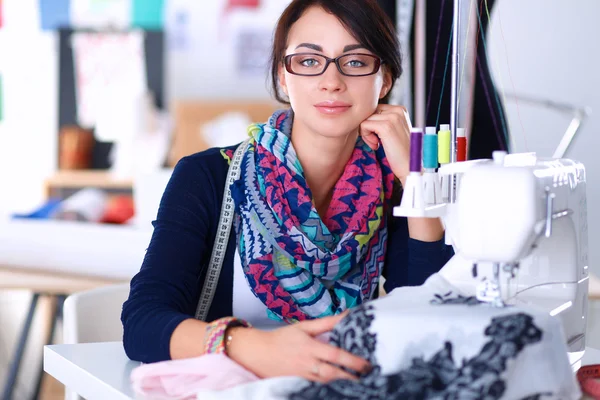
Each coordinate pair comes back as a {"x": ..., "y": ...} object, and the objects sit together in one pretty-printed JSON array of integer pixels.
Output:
[{"x": 298, "y": 265}]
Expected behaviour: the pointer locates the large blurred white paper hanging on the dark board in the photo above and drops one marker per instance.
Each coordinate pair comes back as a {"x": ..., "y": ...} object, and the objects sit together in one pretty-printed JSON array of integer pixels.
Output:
[{"x": 109, "y": 73}]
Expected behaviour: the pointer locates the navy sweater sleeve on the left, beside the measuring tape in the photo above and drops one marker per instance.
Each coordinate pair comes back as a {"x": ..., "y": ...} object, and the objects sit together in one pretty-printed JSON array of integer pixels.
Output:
[{"x": 165, "y": 290}]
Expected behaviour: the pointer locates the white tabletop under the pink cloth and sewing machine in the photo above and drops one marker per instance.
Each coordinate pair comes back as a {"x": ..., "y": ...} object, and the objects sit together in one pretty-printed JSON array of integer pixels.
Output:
[{"x": 99, "y": 371}]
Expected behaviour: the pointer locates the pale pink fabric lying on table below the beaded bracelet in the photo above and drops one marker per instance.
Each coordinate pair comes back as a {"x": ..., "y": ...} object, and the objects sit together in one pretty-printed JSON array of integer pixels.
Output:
[{"x": 183, "y": 379}]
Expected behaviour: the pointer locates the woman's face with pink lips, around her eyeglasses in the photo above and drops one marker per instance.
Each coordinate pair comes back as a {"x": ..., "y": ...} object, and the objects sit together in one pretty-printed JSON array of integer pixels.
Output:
[{"x": 330, "y": 104}]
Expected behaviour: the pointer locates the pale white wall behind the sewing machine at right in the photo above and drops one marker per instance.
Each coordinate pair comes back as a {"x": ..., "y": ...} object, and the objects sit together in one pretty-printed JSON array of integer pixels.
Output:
[{"x": 550, "y": 49}]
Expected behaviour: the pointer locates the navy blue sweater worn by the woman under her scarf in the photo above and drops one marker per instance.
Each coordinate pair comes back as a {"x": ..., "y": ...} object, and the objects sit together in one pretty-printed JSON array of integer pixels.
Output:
[{"x": 166, "y": 290}]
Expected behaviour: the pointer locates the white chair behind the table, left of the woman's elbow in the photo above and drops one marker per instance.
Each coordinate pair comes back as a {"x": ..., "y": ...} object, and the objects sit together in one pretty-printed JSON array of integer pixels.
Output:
[{"x": 94, "y": 316}]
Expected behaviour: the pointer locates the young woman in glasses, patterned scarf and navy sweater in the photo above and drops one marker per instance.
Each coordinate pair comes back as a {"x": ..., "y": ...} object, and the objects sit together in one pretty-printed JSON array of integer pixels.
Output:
[{"x": 312, "y": 232}]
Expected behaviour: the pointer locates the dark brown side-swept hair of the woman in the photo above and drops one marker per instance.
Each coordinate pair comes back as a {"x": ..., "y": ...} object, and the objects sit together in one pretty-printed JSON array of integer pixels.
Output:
[{"x": 364, "y": 19}]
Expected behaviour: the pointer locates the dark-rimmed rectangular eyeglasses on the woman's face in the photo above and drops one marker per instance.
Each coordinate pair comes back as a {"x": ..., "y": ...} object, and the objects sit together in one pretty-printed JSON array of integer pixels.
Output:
[{"x": 309, "y": 64}]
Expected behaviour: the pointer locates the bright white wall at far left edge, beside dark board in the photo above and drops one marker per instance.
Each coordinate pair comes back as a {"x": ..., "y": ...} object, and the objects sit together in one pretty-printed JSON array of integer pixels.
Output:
[{"x": 28, "y": 64}]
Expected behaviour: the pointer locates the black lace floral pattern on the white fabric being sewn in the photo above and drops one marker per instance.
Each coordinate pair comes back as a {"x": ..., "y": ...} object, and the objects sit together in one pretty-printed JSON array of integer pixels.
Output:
[{"x": 439, "y": 377}]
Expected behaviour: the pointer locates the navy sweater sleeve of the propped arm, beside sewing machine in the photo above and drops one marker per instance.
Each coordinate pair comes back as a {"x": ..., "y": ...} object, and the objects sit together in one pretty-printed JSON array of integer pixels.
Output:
[{"x": 409, "y": 262}]
